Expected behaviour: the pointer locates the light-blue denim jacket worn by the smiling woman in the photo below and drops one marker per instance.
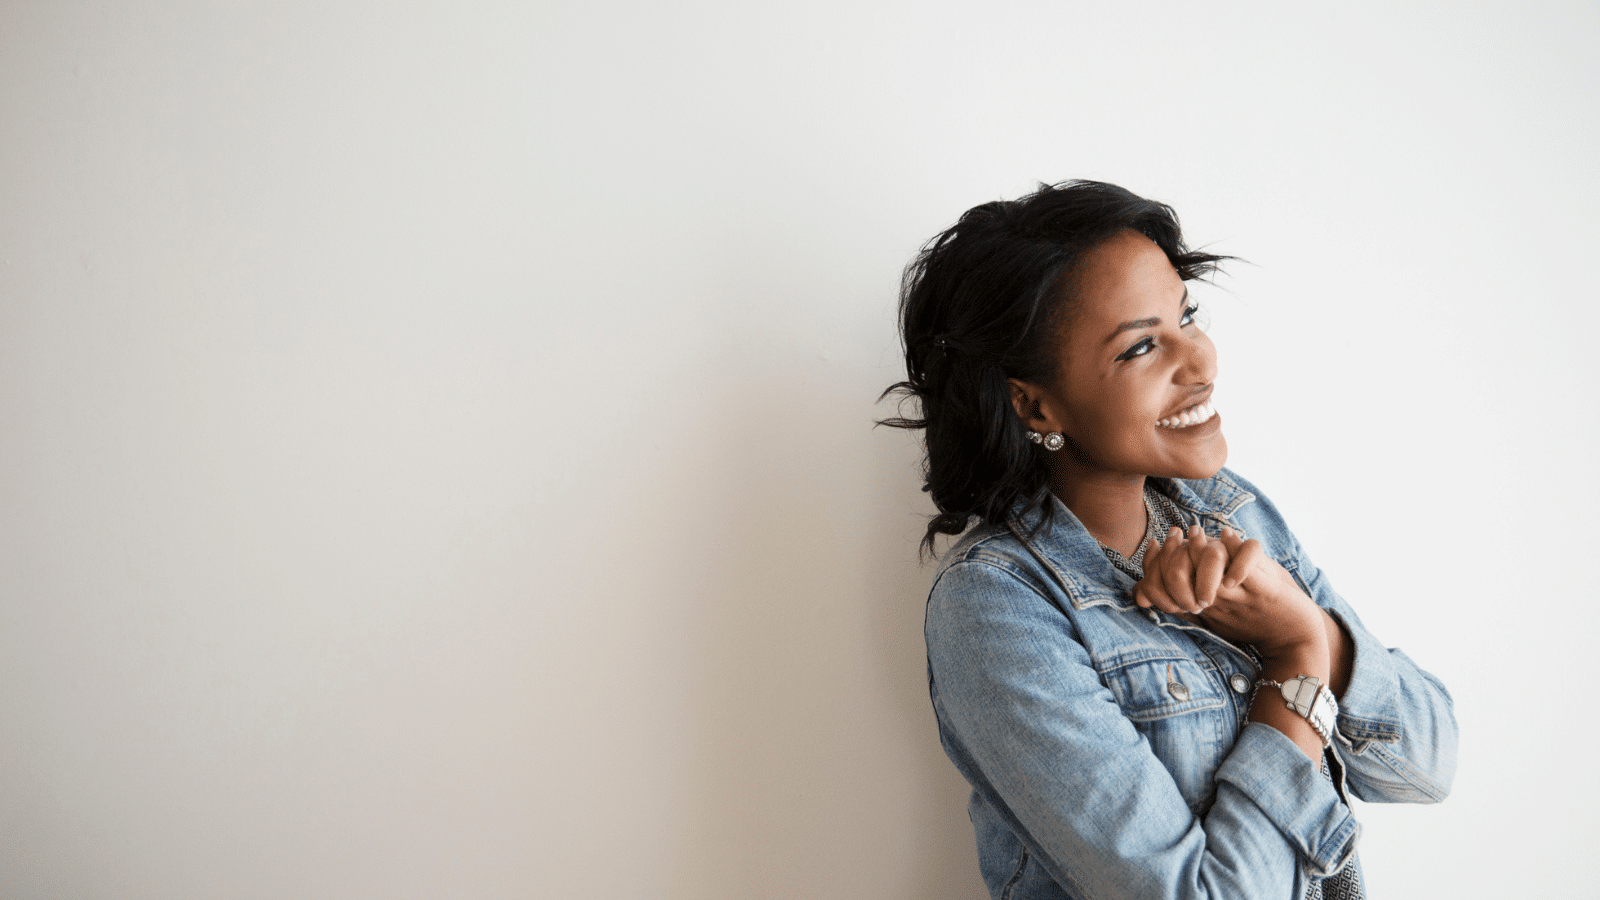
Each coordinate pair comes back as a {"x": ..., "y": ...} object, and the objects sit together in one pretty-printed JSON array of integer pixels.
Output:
[{"x": 1108, "y": 745}]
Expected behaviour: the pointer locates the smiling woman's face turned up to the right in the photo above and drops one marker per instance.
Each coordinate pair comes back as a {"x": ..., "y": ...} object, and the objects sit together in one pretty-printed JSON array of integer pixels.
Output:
[{"x": 1135, "y": 371}]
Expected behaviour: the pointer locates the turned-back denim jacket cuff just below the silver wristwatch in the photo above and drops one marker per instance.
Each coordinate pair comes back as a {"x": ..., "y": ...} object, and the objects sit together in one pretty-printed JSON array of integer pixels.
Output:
[{"x": 1292, "y": 794}]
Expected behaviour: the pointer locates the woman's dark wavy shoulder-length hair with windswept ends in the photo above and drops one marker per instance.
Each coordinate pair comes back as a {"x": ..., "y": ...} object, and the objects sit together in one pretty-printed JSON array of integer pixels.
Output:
[{"x": 986, "y": 302}]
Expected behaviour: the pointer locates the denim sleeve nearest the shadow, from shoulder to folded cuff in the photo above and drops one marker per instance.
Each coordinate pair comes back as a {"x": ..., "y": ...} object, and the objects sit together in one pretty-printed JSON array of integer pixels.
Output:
[{"x": 1025, "y": 715}]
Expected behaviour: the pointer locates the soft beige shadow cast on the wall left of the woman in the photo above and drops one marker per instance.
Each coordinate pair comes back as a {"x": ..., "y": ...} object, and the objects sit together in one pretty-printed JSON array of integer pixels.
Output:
[{"x": 817, "y": 768}]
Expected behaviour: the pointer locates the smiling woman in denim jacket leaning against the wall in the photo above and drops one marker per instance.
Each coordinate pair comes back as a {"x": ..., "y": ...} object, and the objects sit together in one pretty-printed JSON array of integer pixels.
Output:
[{"x": 1146, "y": 681}]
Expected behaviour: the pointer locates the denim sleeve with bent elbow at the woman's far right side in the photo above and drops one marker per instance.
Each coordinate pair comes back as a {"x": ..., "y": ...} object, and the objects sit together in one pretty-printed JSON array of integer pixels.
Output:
[{"x": 1398, "y": 726}]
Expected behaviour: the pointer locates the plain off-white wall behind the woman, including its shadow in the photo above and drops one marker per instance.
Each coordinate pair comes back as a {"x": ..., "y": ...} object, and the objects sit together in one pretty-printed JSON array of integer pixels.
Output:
[{"x": 438, "y": 454}]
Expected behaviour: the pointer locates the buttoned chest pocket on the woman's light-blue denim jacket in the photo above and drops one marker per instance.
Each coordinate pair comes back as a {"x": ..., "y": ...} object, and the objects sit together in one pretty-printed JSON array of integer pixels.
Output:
[{"x": 1177, "y": 705}]
